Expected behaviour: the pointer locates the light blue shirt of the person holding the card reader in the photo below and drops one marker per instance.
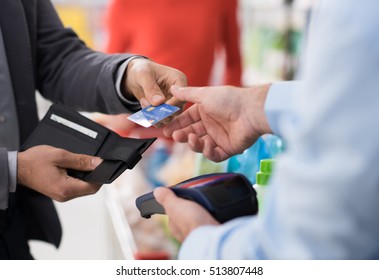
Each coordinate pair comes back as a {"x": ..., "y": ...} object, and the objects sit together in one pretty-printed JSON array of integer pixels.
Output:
[{"x": 322, "y": 201}]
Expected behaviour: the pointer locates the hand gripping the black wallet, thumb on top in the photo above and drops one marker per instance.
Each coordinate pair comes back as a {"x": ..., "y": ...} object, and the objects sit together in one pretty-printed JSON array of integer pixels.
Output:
[{"x": 43, "y": 169}]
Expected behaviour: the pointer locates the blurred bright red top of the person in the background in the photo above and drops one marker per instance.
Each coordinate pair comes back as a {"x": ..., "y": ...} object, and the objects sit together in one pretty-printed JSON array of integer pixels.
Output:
[{"x": 183, "y": 34}]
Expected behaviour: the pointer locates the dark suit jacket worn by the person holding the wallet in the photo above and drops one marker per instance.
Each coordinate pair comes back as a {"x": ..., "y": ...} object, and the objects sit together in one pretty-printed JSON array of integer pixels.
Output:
[{"x": 45, "y": 56}]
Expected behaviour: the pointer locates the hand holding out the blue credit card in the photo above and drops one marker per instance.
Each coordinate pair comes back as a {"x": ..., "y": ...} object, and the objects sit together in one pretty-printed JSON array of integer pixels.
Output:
[{"x": 150, "y": 82}]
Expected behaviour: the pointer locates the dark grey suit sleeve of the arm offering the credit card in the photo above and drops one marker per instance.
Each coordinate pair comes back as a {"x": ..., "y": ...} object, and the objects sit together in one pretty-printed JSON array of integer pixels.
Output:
[{"x": 70, "y": 73}]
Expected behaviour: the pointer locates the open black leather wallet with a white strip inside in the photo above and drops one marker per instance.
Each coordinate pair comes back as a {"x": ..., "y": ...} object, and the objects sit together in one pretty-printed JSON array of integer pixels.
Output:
[{"x": 65, "y": 128}]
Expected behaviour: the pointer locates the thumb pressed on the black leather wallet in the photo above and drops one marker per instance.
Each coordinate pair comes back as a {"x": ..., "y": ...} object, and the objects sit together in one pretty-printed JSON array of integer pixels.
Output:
[{"x": 77, "y": 161}]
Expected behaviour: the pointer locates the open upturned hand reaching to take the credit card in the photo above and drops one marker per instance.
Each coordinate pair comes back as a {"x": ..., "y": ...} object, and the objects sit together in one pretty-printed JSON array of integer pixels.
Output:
[{"x": 223, "y": 121}]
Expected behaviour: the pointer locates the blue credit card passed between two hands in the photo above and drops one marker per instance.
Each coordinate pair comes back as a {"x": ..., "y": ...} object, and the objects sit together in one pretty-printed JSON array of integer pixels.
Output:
[{"x": 152, "y": 115}]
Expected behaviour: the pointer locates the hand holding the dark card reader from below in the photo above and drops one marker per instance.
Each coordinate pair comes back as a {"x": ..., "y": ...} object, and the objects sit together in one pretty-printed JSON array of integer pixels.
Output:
[{"x": 184, "y": 215}]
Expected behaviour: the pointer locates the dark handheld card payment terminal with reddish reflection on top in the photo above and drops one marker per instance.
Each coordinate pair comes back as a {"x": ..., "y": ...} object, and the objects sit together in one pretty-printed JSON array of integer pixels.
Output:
[{"x": 224, "y": 195}]
